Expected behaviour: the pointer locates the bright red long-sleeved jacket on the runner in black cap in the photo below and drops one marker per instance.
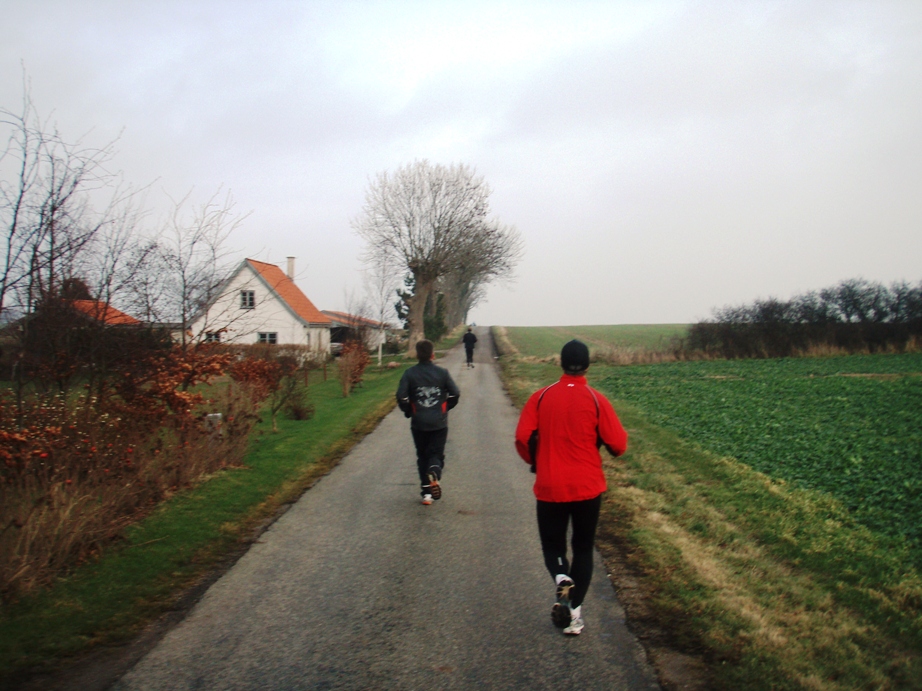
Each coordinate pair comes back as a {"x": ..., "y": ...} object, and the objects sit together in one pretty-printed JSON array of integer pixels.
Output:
[{"x": 572, "y": 421}]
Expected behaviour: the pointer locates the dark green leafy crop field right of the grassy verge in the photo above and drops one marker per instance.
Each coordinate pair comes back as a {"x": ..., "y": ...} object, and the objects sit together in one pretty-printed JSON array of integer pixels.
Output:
[{"x": 848, "y": 426}]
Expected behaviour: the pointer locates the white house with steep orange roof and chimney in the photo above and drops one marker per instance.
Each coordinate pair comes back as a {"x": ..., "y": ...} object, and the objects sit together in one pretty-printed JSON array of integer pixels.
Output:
[{"x": 259, "y": 303}]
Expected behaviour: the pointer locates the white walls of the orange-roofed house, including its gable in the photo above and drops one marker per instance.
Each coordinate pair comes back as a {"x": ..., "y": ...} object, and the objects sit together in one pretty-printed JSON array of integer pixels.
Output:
[{"x": 269, "y": 315}]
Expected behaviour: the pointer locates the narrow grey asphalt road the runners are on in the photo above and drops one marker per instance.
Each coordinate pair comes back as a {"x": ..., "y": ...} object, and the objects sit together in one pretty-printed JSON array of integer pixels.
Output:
[{"x": 359, "y": 586}]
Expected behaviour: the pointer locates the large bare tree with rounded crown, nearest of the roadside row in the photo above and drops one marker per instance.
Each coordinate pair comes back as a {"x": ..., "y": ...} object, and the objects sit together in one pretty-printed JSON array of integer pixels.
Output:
[{"x": 426, "y": 219}]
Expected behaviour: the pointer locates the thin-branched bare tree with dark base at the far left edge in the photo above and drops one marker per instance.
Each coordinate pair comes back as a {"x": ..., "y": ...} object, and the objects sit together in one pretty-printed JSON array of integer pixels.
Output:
[{"x": 68, "y": 226}]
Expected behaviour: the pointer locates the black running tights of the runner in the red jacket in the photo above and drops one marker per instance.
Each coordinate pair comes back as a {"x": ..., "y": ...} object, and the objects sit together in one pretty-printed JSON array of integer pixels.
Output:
[{"x": 553, "y": 519}]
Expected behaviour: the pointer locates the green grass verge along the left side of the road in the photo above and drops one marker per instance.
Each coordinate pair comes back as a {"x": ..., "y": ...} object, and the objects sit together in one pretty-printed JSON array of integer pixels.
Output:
[{"x": 110, "y": 600}]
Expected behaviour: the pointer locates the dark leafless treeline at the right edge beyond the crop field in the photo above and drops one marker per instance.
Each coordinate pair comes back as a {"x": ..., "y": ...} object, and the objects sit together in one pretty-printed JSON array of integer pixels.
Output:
[{"x": 854, "y": 316}]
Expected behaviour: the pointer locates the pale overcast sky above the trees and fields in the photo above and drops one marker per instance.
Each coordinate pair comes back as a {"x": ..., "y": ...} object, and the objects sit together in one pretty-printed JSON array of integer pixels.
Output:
[{"x": 659, "y": 159}]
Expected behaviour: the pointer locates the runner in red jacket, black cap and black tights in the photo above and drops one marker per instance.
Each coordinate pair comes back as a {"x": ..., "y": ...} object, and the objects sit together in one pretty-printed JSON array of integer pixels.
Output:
[{"x": 560, "y": 431}]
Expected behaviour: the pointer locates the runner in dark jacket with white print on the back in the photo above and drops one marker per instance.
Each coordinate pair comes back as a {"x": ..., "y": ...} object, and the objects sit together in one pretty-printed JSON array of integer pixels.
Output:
[{"x": 426, "y": 393}]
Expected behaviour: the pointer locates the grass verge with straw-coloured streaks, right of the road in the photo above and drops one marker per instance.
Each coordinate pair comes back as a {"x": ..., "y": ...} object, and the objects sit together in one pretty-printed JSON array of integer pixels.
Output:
[{"x": 758, "y": 583}]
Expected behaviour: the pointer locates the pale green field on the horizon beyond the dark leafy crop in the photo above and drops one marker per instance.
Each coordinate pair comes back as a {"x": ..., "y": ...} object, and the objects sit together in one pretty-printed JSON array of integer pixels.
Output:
[{"x": 548, "y": 340}]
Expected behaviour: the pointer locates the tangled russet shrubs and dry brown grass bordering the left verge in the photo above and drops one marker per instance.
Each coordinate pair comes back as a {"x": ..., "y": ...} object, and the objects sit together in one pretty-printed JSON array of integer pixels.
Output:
[{"x": 71, "y": 481}]
